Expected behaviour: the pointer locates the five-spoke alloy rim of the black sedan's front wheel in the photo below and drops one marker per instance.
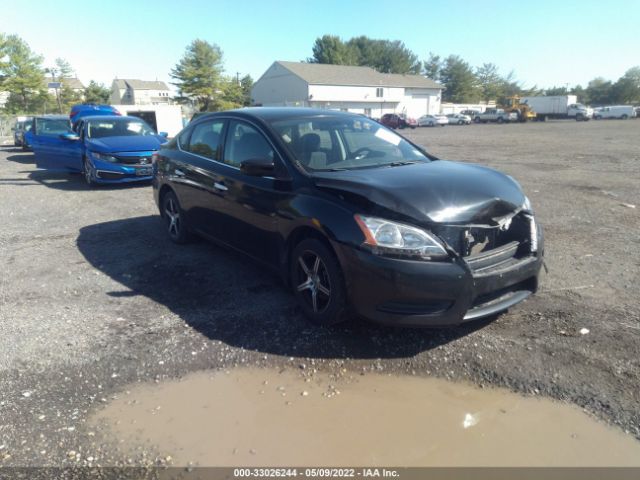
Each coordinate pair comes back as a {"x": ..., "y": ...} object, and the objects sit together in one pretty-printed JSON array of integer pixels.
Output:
[{"x": 313, "y": 281}]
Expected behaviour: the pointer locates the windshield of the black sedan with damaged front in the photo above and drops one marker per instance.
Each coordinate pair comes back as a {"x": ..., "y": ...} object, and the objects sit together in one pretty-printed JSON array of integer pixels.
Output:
[{"x": 344, "y": 143}]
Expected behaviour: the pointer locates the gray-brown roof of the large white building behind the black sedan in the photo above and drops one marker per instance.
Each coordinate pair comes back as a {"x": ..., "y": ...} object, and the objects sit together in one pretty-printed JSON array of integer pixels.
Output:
[{"x": 325, "y": 74}]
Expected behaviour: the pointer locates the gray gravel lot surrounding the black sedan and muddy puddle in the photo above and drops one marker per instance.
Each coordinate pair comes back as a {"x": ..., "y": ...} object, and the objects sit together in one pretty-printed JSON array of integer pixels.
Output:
[{"x": 94, "y": 297}]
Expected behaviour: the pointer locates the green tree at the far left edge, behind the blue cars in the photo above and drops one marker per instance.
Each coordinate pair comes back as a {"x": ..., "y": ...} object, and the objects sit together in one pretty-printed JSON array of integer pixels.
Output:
[{"x": 21, "y": 75}]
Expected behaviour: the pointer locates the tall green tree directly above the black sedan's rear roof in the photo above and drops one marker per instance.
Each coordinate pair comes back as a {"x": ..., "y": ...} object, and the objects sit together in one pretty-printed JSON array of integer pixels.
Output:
[{"x": 198, "y": 74}]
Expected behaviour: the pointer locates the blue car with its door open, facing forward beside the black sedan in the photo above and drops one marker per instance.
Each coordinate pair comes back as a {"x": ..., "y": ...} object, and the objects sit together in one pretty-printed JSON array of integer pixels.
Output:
[{"x": 105, "y": 149}]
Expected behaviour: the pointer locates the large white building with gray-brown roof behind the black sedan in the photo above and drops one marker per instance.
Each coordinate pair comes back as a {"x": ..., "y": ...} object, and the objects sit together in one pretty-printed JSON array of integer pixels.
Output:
[{"x": 348, "y": 88}]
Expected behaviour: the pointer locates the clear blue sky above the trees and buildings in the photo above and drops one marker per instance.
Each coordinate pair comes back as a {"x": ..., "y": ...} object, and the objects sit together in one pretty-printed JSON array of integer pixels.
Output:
[{"x": 544, "y": 42}]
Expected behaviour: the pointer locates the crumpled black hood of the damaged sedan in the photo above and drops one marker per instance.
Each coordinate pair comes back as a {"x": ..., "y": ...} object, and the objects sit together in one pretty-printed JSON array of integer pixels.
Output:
[{"x": 440, "y": 192}]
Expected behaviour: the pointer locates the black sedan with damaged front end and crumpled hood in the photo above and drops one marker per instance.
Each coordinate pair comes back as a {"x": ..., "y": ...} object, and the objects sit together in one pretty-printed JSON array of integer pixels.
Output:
[{"x": 356, "y": 219}]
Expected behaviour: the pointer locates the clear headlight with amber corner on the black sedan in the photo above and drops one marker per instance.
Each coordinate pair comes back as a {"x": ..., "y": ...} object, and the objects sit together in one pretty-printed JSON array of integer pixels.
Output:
[{"x": 385, "y": 237}]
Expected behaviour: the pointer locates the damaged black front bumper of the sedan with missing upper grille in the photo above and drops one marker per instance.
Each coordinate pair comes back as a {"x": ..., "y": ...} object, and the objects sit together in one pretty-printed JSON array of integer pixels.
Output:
[{"x": 421, "y": 293}]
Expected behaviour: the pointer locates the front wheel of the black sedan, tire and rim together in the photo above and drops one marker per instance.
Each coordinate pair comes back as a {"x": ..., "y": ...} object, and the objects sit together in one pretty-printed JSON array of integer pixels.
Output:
[{"x": 317, "y": 282}]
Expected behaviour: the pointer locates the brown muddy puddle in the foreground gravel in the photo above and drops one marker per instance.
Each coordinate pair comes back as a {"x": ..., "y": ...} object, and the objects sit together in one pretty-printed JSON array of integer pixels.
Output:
[{"x": 264, "y": 417}]
